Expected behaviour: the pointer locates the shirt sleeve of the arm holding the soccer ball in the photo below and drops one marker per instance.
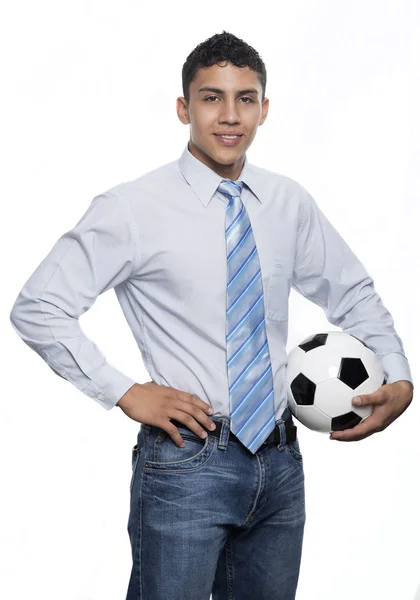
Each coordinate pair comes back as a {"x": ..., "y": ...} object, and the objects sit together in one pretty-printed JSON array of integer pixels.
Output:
[{"x": 328, "y": 273}]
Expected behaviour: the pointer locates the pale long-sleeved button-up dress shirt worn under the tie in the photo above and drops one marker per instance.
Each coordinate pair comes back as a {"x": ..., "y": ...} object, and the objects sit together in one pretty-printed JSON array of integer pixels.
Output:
[{"x": 159, "y": 242}]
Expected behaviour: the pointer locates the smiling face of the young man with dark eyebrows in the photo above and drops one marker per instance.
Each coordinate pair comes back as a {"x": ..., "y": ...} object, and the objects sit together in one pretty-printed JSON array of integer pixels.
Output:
[{"x": 229, "y": 109}]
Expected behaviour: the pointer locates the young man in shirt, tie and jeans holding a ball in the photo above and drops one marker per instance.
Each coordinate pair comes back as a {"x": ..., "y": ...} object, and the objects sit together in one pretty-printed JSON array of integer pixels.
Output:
[{"x": 202, "y": 253}]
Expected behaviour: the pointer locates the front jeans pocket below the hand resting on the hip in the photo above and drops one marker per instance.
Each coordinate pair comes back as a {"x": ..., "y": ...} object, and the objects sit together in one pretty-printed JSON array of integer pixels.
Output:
[{"x": 164, "y": 454}]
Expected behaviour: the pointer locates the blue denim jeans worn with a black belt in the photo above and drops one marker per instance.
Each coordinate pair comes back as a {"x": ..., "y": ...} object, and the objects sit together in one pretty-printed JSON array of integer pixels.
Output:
[{"x": 212, "y": 518}]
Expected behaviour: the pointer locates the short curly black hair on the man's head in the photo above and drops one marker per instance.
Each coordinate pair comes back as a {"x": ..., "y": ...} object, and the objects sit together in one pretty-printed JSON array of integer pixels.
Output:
[{"x": 219, "y": 48}]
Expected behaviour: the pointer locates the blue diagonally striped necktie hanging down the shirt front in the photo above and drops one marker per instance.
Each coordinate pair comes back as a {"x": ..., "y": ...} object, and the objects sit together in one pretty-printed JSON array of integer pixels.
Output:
[{"x": 249, "y": 368}]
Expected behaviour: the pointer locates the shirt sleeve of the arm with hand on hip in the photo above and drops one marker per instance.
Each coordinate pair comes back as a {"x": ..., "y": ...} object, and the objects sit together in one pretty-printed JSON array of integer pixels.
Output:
[{"x": 99, "y": 253}]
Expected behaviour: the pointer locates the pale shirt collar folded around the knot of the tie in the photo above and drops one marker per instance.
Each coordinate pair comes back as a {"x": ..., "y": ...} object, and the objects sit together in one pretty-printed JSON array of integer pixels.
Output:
[{"x": 204, "y": 181}]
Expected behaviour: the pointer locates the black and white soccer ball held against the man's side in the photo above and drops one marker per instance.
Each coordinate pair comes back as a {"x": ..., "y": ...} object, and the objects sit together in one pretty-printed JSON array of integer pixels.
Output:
[{"x": 324, "y": 373}]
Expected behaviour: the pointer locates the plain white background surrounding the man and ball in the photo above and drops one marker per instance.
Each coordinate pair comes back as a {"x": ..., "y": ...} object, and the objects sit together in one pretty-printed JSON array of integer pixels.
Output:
[{"x": 88, "y": 101}]
